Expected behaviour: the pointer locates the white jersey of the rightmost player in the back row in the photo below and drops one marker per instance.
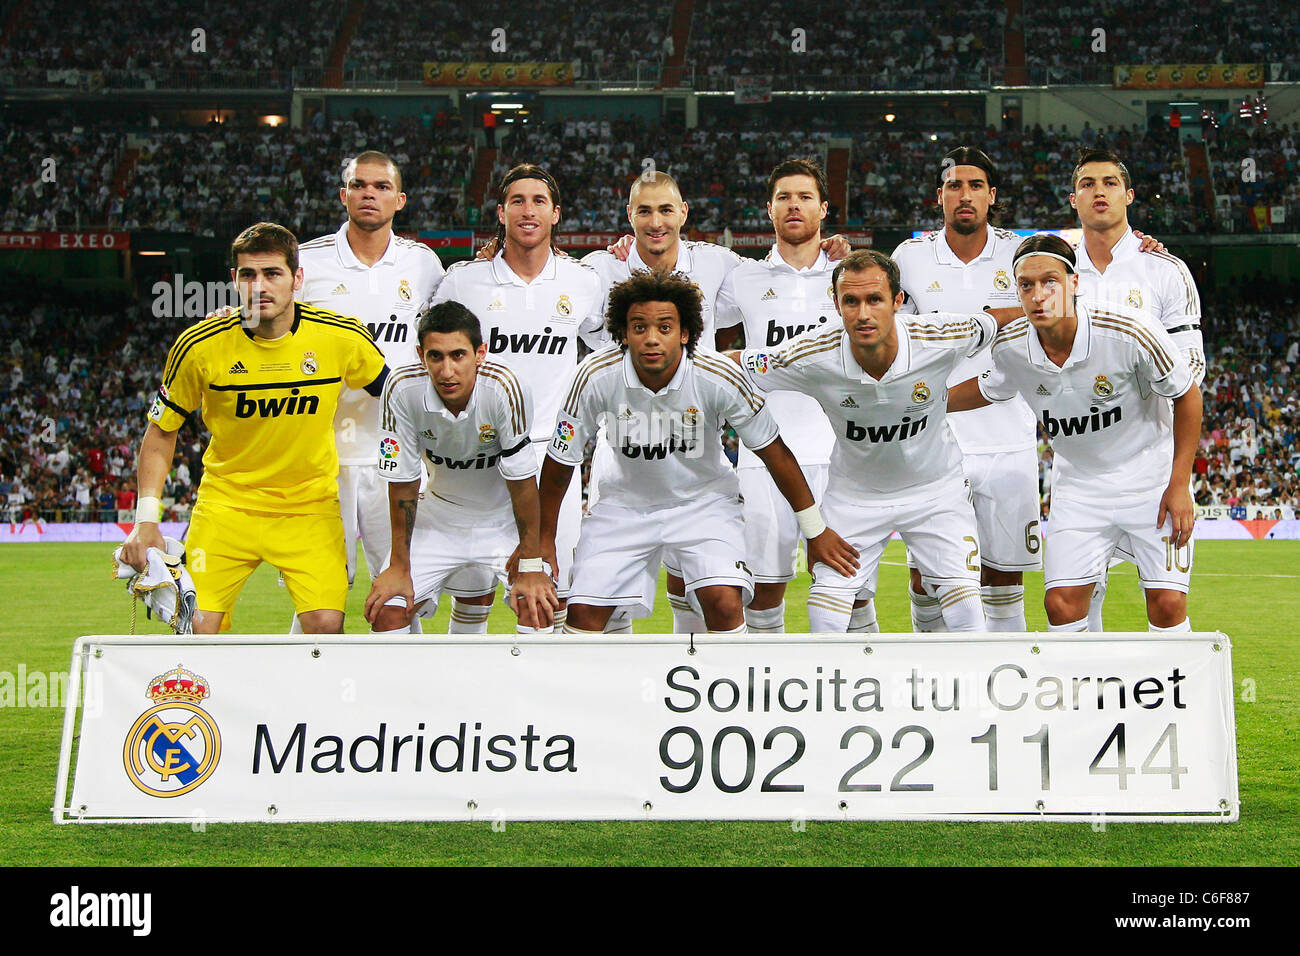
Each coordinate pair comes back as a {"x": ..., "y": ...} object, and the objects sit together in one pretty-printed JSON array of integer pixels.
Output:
[{"x": 1156, "y": 283}]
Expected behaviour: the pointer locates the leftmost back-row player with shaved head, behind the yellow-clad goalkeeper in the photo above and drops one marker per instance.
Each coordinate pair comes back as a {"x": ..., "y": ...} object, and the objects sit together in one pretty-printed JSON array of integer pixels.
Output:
[{"x": 366, "y": 271}]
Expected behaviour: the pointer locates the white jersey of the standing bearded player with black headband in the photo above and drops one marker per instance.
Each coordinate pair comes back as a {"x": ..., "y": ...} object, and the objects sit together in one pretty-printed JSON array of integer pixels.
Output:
[{"x": 935, "y": 280}]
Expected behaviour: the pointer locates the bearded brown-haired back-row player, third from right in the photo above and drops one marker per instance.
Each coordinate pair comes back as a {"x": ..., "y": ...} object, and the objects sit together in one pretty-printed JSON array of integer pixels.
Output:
[{"x": 777, "y": 300}]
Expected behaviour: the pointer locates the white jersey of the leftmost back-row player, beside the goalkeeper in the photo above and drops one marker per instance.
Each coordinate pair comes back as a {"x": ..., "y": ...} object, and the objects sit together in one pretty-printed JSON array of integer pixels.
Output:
[{"x": 387, "y": 299}]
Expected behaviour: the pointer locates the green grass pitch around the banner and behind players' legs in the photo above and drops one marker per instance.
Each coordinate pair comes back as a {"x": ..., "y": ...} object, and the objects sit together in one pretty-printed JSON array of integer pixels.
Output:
[{"x": 1251, "y": 591}]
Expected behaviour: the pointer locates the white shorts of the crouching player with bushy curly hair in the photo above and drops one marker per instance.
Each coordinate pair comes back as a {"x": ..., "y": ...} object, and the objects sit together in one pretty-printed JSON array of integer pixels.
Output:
[{"x": 621, "y": 551}]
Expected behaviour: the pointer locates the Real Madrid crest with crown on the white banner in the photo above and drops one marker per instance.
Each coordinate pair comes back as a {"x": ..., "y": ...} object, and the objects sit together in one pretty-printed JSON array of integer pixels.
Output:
[{"x": 175, "y": 746}]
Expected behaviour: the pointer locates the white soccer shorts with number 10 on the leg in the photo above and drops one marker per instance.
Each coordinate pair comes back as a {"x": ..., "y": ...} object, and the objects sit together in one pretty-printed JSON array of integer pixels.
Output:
[{"x": 1084, "y": 537}]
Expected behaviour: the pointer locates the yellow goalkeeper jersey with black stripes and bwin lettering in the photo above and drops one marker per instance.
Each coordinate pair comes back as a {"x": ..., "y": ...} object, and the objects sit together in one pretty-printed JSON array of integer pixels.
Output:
[{"x": 270, "y": 406}]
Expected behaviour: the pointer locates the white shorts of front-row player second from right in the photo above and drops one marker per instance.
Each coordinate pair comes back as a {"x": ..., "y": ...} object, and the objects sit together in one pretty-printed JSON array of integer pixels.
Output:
[{"x": 938, "y": 526}]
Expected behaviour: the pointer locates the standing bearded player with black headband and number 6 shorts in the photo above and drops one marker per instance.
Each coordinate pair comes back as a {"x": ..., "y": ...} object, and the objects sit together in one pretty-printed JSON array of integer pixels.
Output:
[{"x": 964, "y": 267}]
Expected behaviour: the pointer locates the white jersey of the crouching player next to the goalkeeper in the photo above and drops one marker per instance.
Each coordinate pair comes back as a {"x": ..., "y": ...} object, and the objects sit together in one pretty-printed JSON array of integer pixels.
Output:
[{"x": 471, "y": 456}]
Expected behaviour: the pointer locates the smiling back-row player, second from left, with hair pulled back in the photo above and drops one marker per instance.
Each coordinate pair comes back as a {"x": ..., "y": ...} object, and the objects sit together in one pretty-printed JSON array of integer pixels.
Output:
[{"x": 536, "y": 305}]
